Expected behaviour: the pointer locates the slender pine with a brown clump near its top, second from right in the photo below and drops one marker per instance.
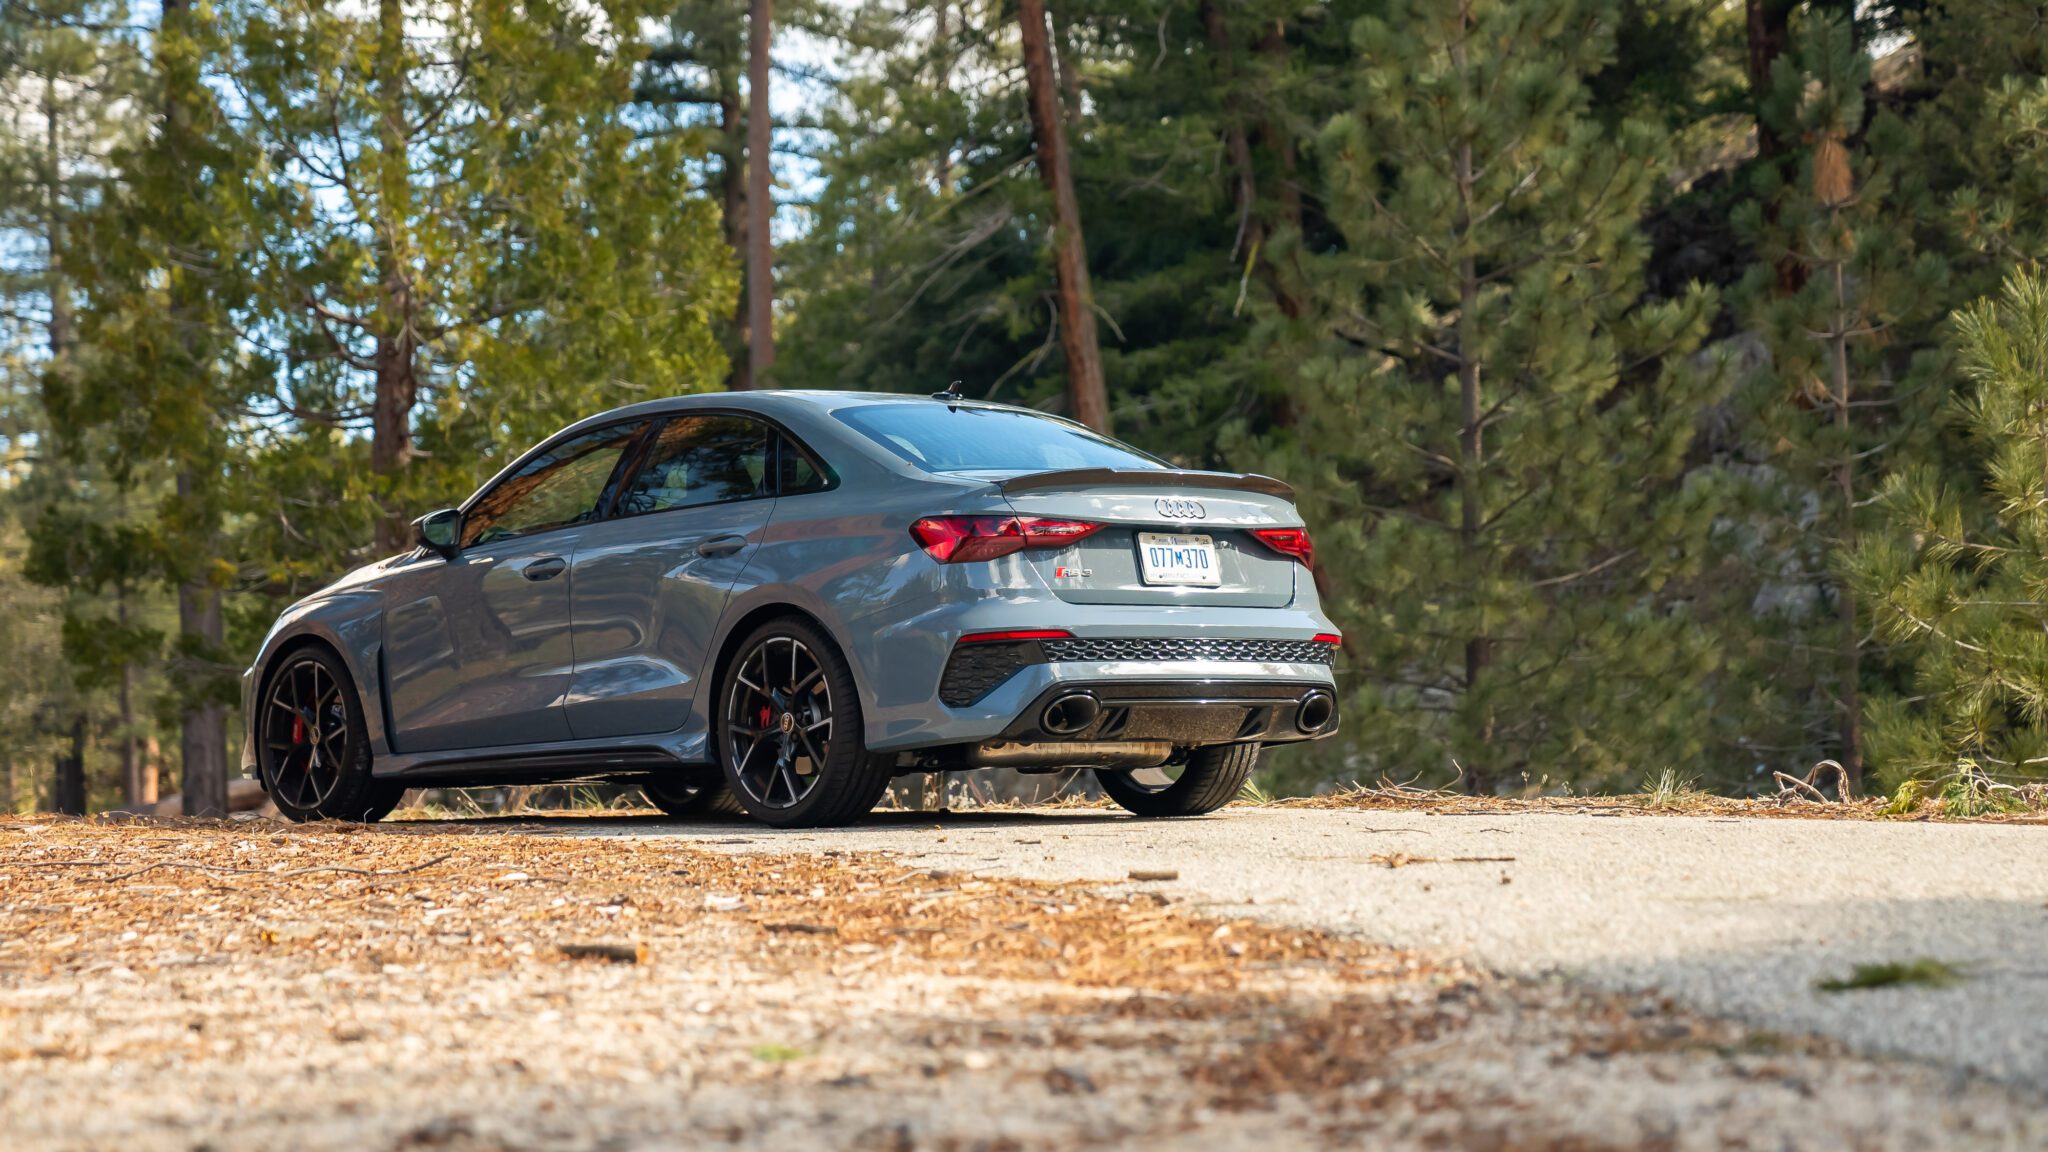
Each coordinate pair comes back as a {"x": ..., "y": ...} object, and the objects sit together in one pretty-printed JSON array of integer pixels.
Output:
[{"x": 1840, "y": 298}]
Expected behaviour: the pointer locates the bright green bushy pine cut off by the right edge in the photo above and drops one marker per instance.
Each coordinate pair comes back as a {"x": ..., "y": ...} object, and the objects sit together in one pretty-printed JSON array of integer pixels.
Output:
[{"x": 1959, "y": 575}]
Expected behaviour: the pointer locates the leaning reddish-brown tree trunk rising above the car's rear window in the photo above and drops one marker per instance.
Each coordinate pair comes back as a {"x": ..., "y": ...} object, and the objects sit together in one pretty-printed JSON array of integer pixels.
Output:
[{"x": 1089, "y": 395}]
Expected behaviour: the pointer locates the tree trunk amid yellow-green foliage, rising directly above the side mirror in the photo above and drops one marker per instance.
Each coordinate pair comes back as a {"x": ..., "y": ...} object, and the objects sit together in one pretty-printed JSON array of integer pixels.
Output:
[{"x": 396, "y": 325}]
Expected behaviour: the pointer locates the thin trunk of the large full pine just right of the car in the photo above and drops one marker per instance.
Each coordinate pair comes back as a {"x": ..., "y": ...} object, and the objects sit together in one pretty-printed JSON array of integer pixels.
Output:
[{"x": 1471, "y": 456}]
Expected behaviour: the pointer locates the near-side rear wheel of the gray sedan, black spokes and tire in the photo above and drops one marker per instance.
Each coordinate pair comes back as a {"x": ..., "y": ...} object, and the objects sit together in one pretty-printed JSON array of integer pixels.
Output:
[{"x": 790, "y": 731}]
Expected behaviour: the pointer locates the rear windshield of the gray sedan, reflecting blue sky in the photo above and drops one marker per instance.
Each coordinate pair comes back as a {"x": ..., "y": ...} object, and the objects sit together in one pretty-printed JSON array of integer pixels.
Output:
[{"x": 939, "y": 438}]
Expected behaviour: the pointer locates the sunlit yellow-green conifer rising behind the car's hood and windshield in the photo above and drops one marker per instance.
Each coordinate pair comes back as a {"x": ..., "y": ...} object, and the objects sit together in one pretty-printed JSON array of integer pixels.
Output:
[{"x": 464, "y": 241}]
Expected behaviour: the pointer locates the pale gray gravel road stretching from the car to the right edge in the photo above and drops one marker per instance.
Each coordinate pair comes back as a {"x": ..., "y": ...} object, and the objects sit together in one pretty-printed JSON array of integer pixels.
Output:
[{"x": 1730, "y": 917}]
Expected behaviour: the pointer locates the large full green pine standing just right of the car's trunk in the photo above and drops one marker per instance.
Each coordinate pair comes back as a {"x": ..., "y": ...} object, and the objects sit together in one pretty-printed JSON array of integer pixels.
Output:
[{"x": 1500, "y": 421}]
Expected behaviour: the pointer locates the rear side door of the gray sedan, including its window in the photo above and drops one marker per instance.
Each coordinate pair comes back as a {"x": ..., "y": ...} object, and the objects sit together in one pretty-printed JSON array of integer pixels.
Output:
[{"x": 648, "y": 585}]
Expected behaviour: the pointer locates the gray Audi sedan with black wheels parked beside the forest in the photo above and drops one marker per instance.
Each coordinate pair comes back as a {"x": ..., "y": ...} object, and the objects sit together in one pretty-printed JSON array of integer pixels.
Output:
[{"x": 777, "y": 602}]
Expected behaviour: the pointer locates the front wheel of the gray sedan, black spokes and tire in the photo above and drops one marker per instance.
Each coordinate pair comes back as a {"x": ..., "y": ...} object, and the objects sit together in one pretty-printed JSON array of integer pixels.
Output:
[{"x": 312, "y": 745}]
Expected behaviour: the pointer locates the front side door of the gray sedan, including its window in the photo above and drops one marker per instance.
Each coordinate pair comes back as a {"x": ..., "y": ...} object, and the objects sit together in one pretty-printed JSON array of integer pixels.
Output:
[{"x": 478, "y": 649}]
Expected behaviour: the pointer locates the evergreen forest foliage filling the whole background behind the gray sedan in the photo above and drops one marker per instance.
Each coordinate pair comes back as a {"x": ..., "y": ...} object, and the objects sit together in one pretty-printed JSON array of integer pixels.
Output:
[{"x": 1607, "y": 341}]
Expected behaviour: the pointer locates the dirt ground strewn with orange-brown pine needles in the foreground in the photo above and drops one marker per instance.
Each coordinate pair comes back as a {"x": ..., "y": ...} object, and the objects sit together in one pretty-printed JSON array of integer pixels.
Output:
[{"x": 247, "y": 985}]
